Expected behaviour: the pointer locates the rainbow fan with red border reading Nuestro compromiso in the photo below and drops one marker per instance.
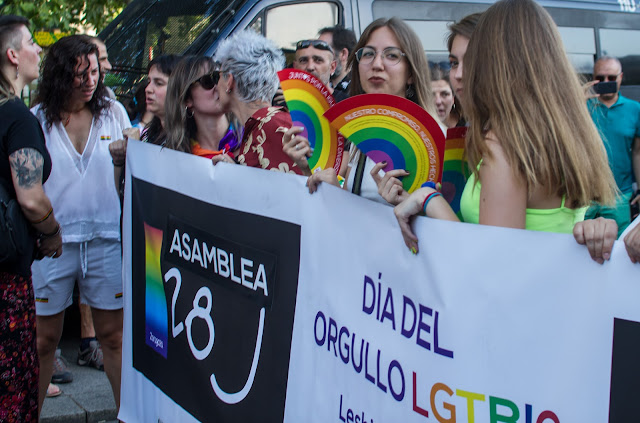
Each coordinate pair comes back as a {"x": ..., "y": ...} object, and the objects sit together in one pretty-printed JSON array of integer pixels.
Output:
[{"x": 393, "y": 129}]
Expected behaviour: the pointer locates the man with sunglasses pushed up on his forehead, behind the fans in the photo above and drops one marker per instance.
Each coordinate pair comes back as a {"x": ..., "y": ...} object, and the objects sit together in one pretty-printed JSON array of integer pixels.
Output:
[{"x": 317, "y": 58}]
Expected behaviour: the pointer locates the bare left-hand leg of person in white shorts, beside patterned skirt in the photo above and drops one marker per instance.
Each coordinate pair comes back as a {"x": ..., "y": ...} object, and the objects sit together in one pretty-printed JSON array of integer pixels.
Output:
[{"x": 48, "y": 333}]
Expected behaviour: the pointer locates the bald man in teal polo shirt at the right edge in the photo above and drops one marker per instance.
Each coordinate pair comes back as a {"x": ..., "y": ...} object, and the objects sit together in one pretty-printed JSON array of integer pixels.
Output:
[{"x": 618, "y": 121}]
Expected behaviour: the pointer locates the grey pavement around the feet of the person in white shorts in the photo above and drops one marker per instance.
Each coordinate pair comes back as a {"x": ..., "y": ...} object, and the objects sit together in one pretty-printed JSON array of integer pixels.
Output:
[{"x": 88, "y": 399}]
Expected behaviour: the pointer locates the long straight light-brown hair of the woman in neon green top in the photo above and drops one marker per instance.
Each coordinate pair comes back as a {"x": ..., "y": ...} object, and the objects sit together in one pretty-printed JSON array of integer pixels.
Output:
[{"x": 541, "y": 119}]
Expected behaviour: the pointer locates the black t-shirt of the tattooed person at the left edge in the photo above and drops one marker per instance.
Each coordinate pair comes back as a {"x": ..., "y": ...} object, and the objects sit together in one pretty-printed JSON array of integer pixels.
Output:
[{"x": 19, "y": 129}]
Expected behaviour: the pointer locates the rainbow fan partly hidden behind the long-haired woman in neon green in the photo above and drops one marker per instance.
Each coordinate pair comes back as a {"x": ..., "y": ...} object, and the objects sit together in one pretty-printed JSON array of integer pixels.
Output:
[{"x": 455, "y": 170}]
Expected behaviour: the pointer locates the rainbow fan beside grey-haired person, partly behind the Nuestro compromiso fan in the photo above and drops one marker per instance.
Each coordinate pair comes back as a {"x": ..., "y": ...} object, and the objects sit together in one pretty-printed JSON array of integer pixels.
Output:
[{"x": 307, "y": 100}]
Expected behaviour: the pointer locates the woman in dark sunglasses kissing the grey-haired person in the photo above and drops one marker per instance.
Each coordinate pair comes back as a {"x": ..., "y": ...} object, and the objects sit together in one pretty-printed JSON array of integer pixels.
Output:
[{"x": 195, "y": 122}]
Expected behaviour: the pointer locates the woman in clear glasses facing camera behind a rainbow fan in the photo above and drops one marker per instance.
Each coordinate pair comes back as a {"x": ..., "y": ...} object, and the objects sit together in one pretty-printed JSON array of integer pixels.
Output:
[{"x": 388, "y": 59}]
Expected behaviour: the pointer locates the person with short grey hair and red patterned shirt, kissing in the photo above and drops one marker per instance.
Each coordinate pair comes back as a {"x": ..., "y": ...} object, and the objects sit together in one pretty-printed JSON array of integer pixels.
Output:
[{"x": 248, "y": 80}]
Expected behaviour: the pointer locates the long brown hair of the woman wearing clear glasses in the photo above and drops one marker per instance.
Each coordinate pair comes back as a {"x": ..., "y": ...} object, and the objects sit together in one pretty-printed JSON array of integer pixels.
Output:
[{"x": 411, "y": 46}]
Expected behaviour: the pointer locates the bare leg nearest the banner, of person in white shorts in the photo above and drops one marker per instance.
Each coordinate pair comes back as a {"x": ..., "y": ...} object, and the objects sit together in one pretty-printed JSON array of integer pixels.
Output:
[{"x": 108, "y": 325}]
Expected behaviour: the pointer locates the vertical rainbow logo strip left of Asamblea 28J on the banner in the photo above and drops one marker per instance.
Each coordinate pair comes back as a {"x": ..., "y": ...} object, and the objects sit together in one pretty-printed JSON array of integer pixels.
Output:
[{"x": 156, "y": 321}]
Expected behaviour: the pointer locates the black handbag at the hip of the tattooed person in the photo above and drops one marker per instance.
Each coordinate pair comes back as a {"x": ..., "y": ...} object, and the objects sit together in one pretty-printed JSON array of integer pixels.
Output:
[{"x": 15, "y": 231}]
